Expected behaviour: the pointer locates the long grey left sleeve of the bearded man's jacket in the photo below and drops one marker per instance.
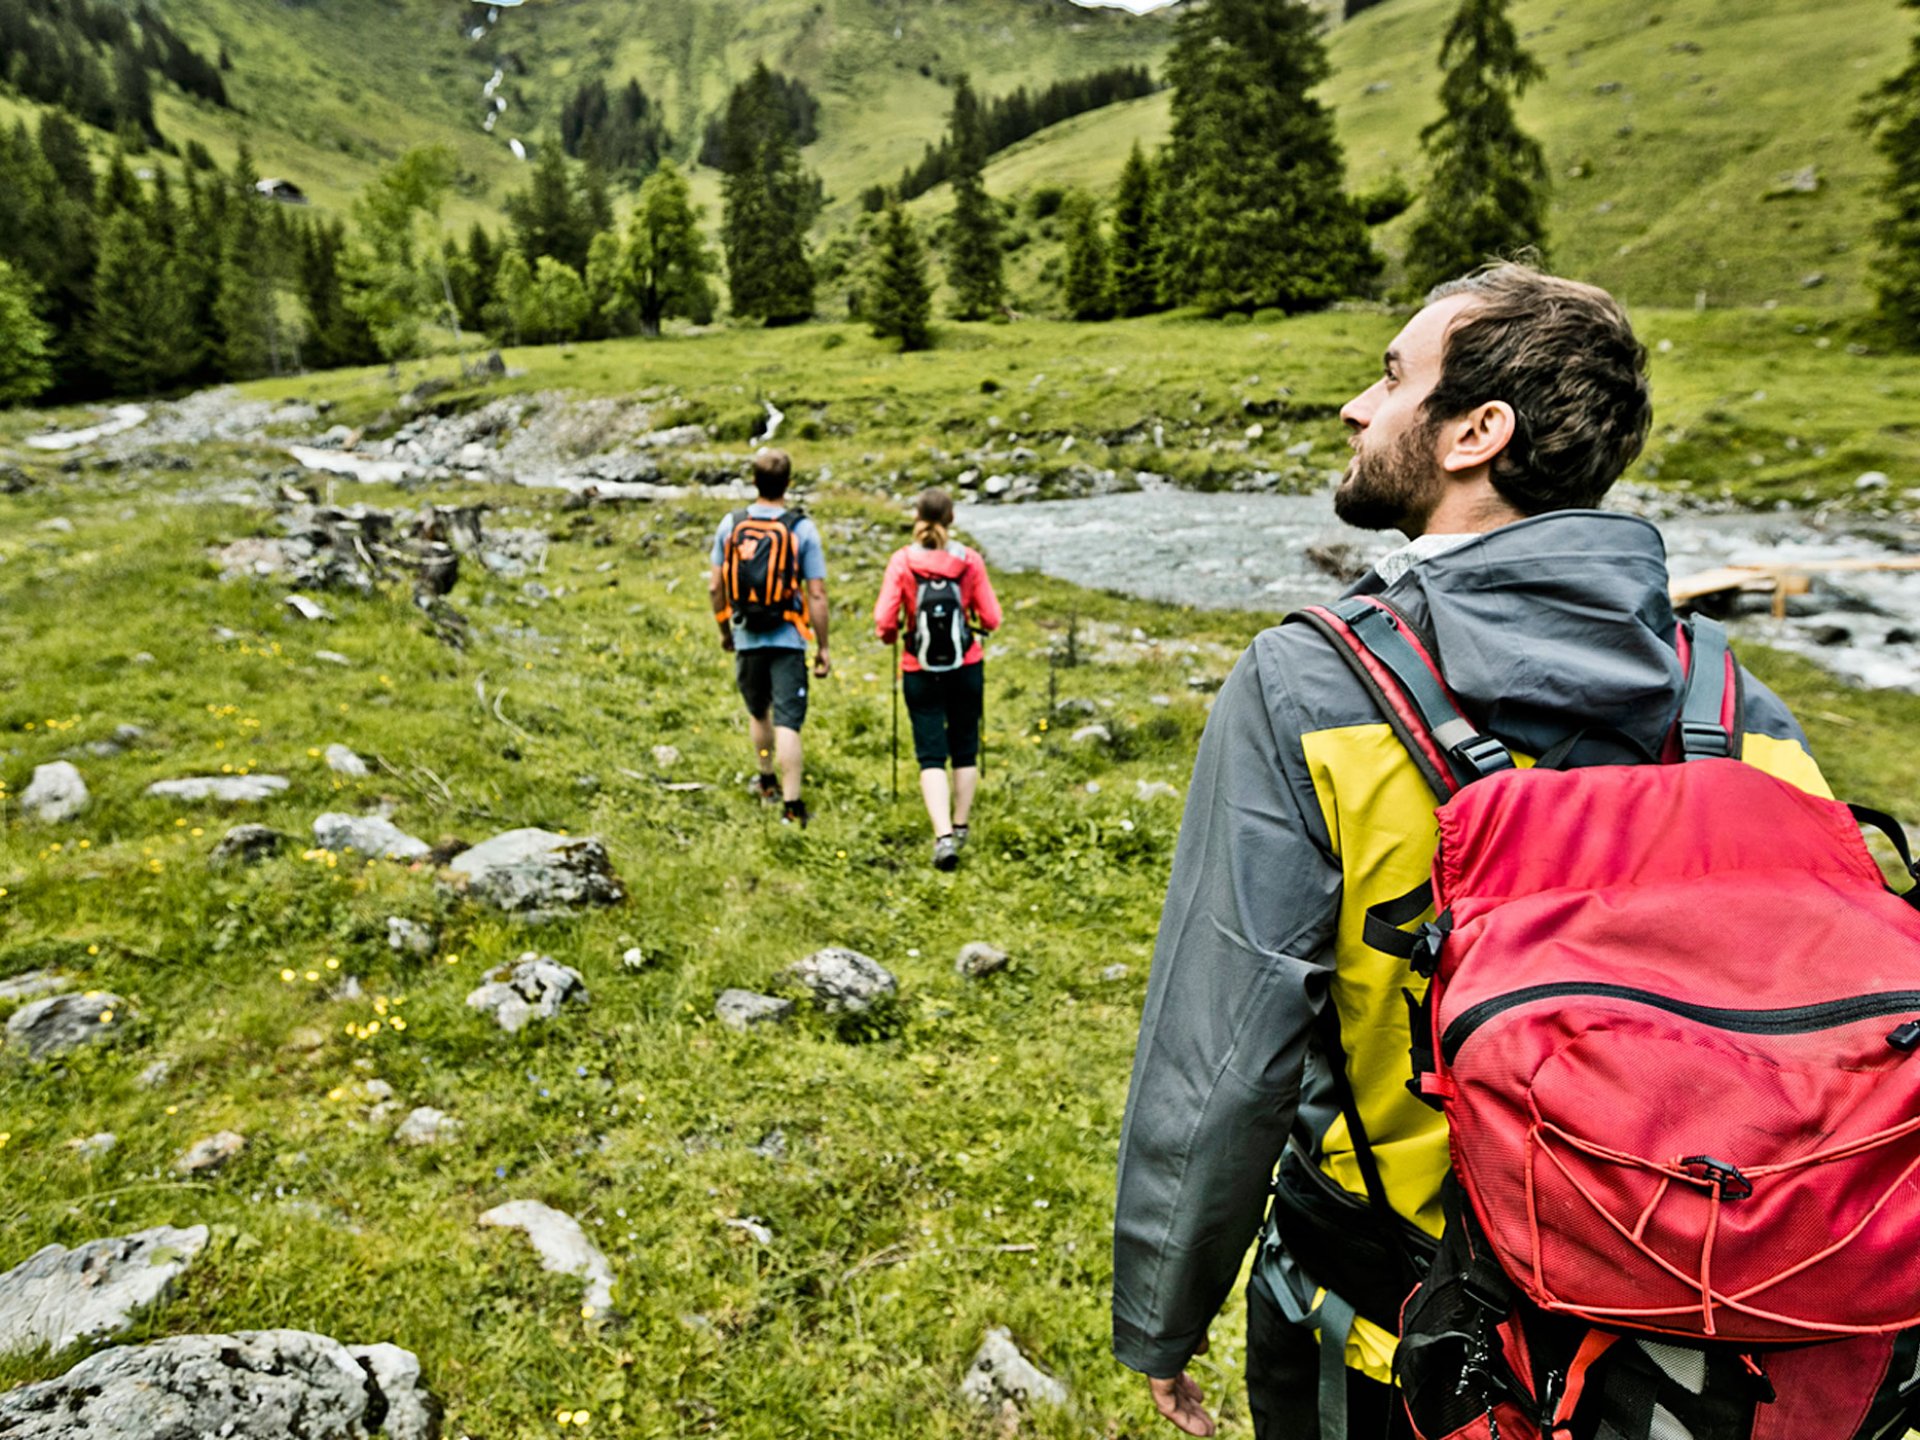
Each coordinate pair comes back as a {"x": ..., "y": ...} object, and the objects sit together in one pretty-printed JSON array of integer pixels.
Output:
[{"x": 1239, "y": 972}]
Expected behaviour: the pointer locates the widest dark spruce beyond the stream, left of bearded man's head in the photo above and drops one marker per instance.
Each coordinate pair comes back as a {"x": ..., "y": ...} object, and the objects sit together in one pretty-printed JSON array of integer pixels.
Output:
[{"x": 1257, "y": 201}]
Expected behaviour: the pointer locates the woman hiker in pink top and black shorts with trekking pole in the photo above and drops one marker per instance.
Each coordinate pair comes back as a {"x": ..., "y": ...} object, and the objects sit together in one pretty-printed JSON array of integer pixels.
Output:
[{"x": 938, "y": 598}]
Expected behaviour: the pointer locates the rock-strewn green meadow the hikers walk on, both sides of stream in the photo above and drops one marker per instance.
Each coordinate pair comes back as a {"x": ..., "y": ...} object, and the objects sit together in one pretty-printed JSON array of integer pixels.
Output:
[{"x": 913, "y": 1151}]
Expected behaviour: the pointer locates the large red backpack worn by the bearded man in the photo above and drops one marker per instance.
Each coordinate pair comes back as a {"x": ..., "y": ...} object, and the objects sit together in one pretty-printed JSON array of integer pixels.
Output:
[{"x": 1669, "y": 1017}]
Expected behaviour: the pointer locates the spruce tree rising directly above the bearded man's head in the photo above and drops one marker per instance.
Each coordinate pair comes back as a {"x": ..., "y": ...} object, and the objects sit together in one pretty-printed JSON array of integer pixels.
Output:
[{"x": 1489, "y": 189}]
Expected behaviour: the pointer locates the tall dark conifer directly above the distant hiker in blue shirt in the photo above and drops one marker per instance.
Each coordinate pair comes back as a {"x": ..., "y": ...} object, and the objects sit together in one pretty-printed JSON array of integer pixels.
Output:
[{"x": 771, "y": 203}]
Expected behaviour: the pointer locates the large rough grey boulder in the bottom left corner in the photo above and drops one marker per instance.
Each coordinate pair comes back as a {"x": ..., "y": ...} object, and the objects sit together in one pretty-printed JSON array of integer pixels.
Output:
[{"x": 252, "y": 1385}]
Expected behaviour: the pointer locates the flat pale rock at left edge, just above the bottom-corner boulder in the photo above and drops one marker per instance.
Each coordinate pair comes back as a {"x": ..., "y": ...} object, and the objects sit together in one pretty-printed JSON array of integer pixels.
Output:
[{"x": 59, "y": 1297}]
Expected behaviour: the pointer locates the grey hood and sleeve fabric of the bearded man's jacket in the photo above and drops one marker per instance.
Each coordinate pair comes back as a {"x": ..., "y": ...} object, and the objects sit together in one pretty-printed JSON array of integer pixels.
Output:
[{"x": 1539, "y": 627}]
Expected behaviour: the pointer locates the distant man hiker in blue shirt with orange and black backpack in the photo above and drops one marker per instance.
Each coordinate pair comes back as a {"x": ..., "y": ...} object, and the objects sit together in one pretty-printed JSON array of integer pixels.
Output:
[{"x": 769, "y": 590}]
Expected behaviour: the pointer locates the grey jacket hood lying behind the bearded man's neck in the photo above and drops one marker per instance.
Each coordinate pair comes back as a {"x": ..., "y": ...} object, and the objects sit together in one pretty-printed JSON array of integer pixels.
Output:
[{"x": 1552, "y": 623}]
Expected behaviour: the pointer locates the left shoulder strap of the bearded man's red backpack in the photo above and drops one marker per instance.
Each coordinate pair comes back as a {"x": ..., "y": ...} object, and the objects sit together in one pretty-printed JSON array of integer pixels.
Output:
[{"x": 1395, "y": 665}]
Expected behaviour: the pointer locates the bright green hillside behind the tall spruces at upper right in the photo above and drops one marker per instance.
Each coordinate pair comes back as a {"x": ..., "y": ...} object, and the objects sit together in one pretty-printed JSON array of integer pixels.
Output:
[{"x": 1662, "y": 214}]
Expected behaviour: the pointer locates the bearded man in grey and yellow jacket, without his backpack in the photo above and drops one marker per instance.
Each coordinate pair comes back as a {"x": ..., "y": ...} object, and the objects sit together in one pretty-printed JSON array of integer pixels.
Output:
[{"x": 1502, "y": 416}]
